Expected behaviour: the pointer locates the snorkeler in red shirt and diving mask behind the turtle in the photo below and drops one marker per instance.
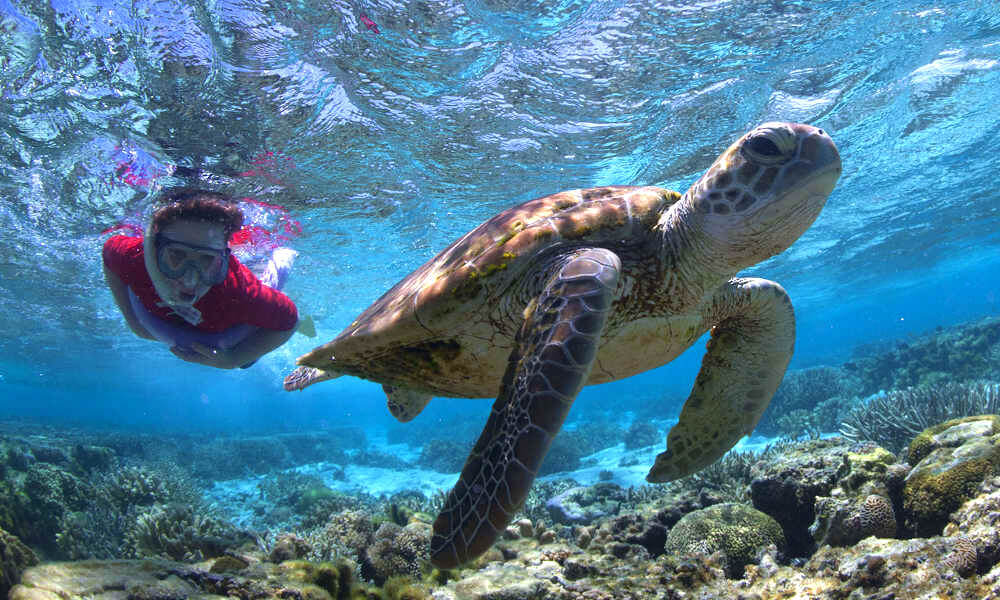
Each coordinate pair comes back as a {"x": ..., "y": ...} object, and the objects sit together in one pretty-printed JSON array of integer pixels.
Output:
[{"x": 181, "y": 285}]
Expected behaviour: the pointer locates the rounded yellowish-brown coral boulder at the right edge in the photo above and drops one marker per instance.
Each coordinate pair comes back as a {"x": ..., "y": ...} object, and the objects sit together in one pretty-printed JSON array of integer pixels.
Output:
[{"x": 951, "y": 461}]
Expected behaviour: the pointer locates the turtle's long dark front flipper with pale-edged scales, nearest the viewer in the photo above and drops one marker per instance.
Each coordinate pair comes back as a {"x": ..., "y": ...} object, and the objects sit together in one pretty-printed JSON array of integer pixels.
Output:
[{"x": 552, "y": 357}]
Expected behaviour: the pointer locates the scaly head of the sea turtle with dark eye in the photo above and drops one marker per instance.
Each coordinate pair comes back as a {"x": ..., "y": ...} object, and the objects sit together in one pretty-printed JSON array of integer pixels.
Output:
[{"x": 765, "y": 191}]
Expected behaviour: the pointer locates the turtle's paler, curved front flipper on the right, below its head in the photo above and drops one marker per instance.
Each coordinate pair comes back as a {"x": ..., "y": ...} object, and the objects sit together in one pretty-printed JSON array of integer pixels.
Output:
[{"x": 753, "y": 338}]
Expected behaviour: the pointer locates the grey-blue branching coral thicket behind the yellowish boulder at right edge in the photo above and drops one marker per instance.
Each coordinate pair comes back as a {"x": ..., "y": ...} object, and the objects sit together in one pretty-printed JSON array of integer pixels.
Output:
[{"x": 894, "y": 418}]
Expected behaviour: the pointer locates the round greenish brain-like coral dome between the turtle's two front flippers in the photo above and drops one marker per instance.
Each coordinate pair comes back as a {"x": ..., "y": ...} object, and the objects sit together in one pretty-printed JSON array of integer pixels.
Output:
[{"x": 738, "y": 531}]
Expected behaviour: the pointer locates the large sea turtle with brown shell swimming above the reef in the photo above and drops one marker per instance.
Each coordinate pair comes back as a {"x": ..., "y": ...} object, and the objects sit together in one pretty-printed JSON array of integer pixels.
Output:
[{"x": 588, "y": 286}]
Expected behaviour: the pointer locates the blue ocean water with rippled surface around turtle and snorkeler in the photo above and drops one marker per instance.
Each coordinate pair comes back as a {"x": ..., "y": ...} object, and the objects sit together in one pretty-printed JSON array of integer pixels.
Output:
[{"x": 390, "y": 145}]
